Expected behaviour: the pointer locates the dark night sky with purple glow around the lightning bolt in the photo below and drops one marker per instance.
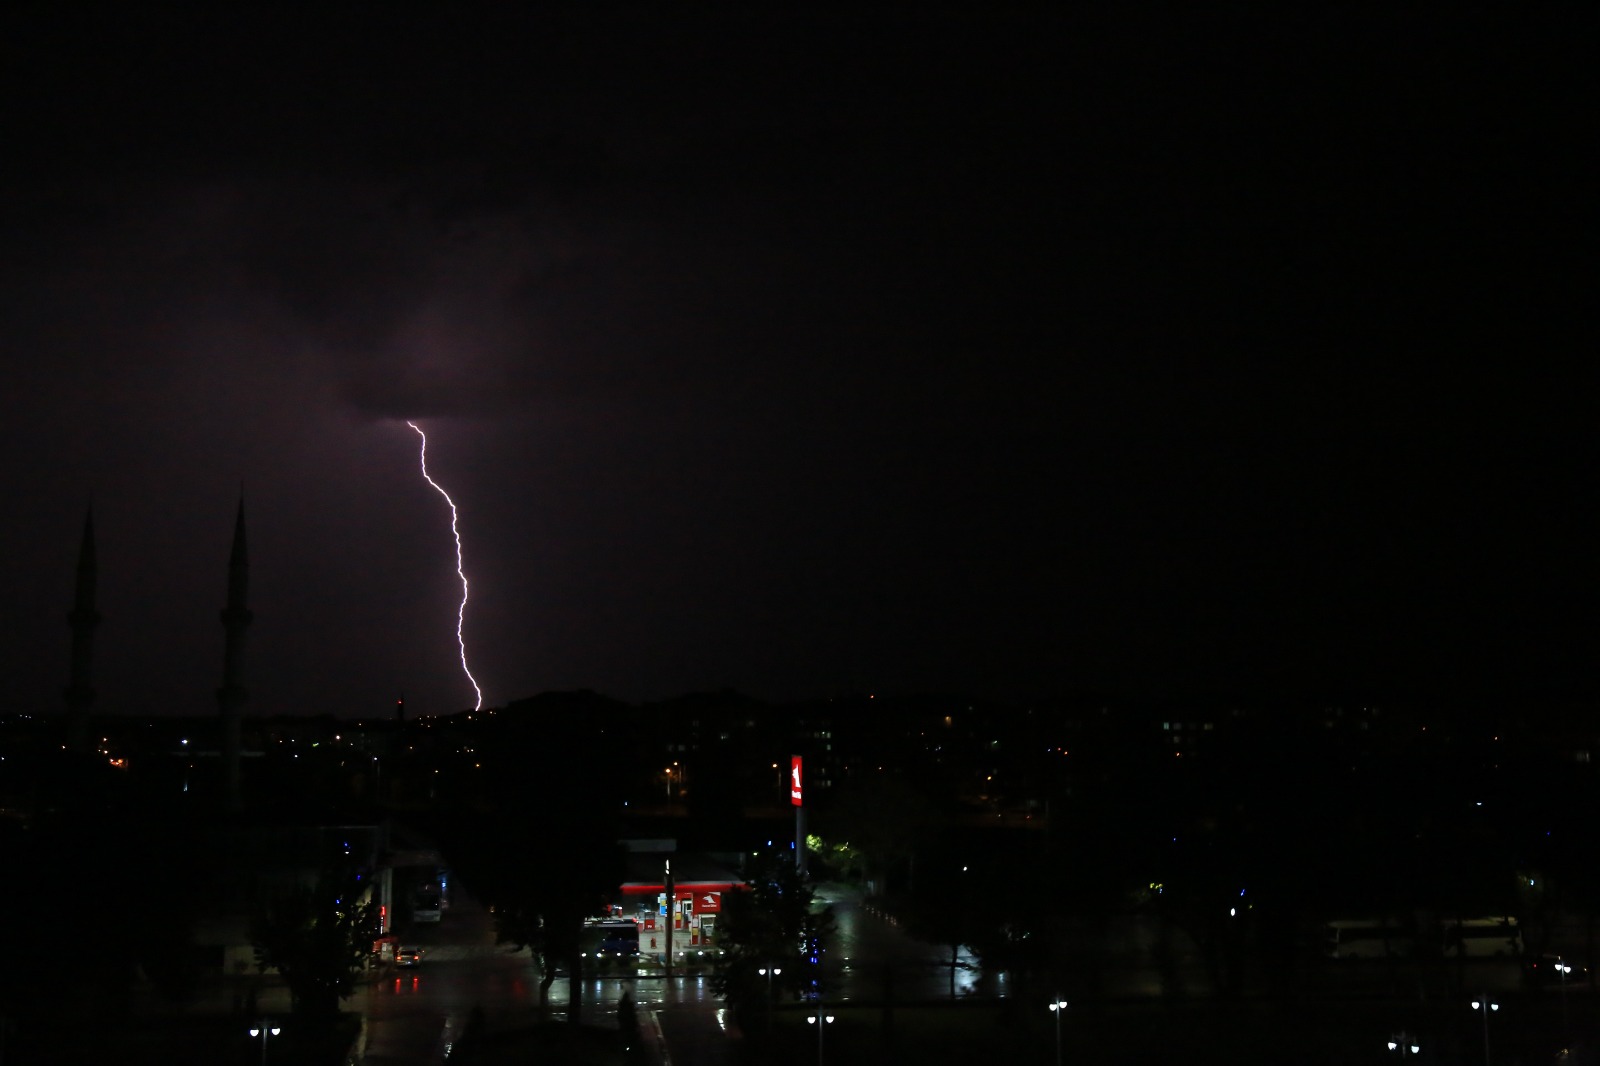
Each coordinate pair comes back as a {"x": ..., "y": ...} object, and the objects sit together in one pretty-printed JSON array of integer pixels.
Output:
[{"x": 1006, "y": 353}]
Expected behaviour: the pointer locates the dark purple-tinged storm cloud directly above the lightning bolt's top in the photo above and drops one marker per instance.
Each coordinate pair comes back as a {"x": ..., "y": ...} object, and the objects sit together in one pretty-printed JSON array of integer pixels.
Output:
[{"x": 417, "y": 315}]
